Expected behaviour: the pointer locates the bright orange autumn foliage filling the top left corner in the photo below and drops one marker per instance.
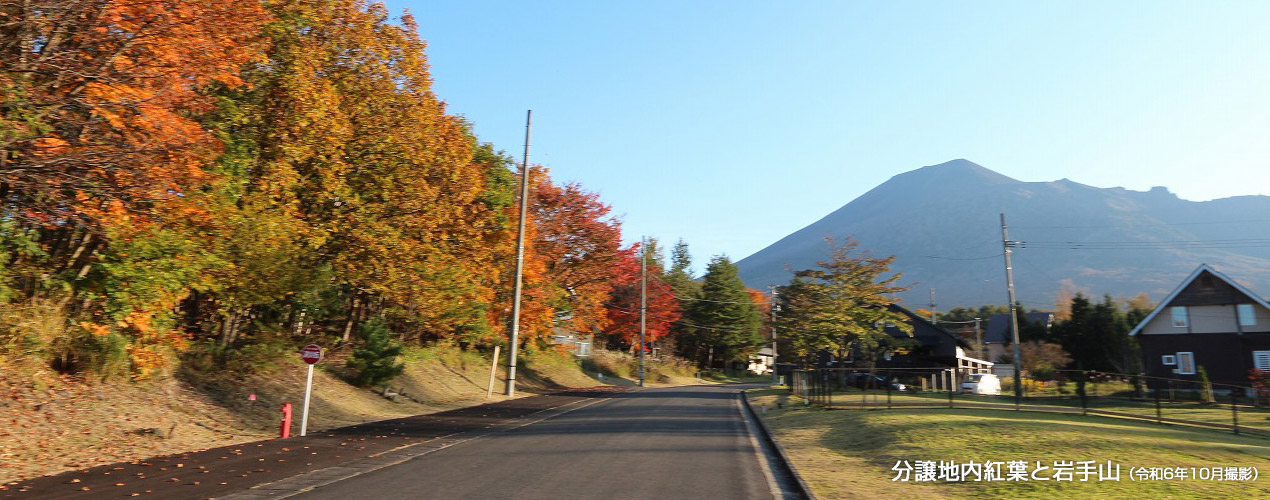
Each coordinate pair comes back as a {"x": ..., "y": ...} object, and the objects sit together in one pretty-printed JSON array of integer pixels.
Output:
[{"x": 97, "y": 98}]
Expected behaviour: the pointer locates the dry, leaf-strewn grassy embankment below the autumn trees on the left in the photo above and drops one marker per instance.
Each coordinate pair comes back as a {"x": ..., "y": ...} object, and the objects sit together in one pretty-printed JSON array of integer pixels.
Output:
[{"x": 51, "y": 423}]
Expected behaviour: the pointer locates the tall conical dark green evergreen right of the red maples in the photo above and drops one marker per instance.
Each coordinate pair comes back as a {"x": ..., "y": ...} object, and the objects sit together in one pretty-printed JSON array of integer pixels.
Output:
[{"x": 723, "y": 319}]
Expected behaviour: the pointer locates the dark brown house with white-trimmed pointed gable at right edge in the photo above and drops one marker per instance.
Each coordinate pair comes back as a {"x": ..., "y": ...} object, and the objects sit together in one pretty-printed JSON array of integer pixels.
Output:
[{"x": 1210, "y": 322}]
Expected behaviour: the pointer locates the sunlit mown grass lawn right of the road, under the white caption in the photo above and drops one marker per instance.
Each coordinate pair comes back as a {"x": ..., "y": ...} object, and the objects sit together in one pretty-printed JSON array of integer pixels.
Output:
[{"x": 850, "y": 454}]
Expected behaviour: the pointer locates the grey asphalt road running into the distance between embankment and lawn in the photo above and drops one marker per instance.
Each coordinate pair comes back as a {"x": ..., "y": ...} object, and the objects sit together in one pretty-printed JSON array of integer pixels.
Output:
[{"x": 661, "y": 444}]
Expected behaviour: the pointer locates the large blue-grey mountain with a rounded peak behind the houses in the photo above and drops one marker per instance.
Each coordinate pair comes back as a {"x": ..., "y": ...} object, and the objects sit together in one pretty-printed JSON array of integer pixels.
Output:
[{"x": 943, "y": 224}]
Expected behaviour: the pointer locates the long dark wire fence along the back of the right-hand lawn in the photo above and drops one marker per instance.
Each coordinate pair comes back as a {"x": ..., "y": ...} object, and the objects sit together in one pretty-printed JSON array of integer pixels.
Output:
[{"x": 1238, "y": 409}]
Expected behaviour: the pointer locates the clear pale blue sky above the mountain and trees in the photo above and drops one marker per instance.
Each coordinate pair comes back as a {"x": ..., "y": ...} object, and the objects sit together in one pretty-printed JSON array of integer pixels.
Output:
[{"x": 735, "y": 124}]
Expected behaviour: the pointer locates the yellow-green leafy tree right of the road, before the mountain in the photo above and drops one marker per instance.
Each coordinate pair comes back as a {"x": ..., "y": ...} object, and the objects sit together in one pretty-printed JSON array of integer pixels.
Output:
[{"x": 841, "y": 305}]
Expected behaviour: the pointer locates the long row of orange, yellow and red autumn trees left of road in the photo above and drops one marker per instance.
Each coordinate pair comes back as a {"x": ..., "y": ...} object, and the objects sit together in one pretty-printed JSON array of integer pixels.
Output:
[{"x": 205, "y": 177}]
